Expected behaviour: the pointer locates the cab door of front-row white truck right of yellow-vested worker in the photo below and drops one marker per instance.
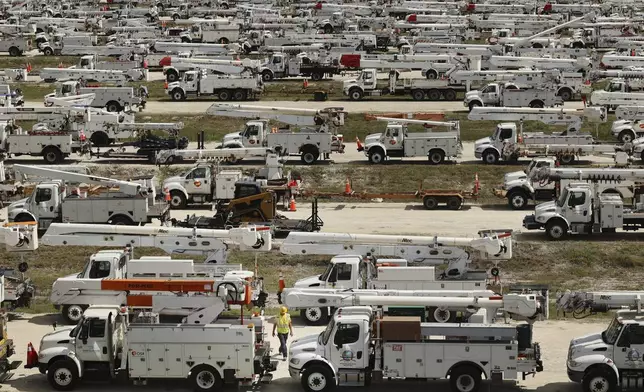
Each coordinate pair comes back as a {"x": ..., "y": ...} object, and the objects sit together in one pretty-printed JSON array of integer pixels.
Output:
[{"x": 348, "y": 349}]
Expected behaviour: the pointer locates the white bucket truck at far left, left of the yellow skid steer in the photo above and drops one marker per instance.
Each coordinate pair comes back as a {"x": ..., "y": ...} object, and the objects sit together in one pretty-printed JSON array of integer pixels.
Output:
[{"x": 119, "y": 202}]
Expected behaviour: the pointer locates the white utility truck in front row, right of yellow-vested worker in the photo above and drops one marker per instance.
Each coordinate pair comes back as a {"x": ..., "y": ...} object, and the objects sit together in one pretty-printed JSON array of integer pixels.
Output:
[{"x": 378, "y": 349}]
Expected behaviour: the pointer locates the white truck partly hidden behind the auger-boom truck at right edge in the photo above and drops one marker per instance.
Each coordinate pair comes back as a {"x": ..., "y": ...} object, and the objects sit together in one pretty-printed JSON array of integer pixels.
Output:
[{"x": 522, "y": 186}]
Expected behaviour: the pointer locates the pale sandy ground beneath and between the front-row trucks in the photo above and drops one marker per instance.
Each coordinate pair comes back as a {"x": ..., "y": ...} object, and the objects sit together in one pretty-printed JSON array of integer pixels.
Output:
[{"x": 554, "y": 337}]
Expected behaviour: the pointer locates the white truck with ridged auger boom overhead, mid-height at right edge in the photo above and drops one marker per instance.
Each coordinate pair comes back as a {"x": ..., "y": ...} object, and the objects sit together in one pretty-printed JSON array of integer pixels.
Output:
[{"x": 583, "y": 209}]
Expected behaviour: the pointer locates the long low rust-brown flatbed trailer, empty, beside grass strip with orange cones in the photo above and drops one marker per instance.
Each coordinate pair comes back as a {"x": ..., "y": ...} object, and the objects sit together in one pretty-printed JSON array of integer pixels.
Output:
[{"x": 431, "y": 198}]
